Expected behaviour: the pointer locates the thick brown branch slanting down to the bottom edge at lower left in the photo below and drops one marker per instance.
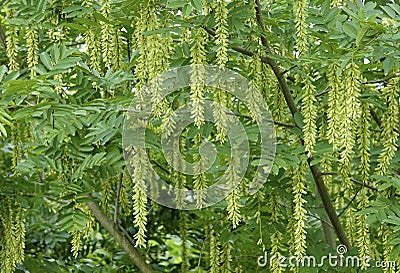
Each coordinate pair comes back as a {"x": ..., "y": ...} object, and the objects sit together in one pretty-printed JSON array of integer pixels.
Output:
[{"x": 108, "y": 224}]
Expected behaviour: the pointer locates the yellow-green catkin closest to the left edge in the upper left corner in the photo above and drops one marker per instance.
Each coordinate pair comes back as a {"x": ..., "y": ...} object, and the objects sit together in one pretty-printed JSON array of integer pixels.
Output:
[{"x": 12, "y": 45}]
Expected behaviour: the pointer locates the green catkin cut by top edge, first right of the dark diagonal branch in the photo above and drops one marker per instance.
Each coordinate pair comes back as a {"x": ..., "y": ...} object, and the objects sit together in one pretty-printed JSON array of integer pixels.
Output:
[{"x": 301, "y": 9}]
